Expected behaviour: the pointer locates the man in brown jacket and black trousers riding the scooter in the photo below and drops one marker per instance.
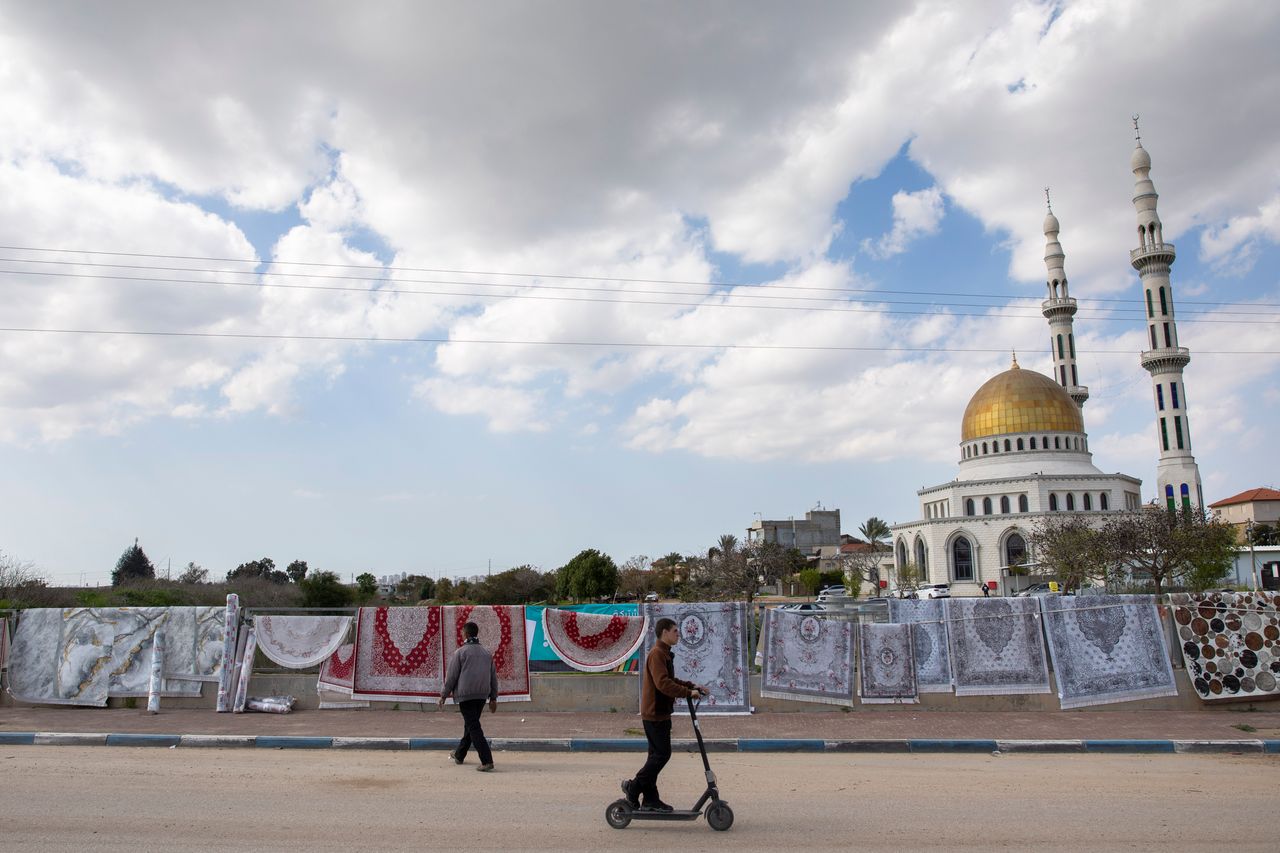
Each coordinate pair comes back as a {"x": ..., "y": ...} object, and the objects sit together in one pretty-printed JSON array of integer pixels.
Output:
[{"x": 660, "y": 688}]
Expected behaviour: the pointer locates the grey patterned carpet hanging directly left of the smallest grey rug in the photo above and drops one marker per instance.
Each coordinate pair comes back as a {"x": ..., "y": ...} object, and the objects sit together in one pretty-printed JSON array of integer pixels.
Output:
[{"x": 807, "y": 658}]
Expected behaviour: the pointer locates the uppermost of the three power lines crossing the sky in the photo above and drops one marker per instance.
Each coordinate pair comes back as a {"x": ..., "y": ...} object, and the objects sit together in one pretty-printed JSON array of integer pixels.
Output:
[{"x": 546, "y": 276}]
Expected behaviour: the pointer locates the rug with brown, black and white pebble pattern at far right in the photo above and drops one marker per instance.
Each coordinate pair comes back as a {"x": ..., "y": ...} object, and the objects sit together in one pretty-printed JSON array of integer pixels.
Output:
[{"x": 1231, "y": 644}]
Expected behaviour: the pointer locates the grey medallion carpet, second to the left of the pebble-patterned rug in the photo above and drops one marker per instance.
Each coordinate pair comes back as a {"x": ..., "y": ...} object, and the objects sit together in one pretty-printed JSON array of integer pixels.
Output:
[{"x": 996, "y": 646}]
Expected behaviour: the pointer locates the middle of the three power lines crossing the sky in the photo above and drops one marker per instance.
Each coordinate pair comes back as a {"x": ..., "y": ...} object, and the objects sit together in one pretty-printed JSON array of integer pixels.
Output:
[{"x": 994, "y": 311}]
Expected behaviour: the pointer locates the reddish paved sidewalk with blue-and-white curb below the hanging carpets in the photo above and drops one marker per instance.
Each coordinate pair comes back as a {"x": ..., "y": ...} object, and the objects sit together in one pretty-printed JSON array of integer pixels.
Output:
[{"x": 886, "y": 731}]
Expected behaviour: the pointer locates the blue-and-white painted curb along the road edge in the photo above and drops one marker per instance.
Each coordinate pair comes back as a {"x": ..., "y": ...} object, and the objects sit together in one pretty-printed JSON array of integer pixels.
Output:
[{"x": 917, "y": 746}]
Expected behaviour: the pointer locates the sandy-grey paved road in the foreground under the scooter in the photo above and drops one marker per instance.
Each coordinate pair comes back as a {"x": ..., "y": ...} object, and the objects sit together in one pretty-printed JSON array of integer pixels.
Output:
[{"x": 71, "y": 799}]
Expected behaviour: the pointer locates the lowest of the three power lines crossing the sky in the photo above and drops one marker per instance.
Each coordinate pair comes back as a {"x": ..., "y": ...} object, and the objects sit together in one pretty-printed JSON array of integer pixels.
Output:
[{"x": 356, "y": 339}]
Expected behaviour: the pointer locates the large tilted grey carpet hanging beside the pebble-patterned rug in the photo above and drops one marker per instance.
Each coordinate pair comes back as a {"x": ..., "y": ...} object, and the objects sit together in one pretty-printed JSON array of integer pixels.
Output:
[{"x": 1108, "y": 649}]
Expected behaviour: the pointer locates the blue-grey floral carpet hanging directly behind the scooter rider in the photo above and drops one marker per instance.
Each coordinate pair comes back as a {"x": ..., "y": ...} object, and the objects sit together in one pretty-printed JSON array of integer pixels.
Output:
[{"x": 712, "y": 651}]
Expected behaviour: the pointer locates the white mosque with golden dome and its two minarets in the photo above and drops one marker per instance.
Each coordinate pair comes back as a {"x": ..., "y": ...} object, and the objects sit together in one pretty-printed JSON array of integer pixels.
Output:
[{"x": 1025, "y": 453}]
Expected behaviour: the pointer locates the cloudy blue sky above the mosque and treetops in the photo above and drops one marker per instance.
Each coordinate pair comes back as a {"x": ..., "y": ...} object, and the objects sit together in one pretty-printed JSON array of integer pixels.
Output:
[{"x": 445, "y": 289}]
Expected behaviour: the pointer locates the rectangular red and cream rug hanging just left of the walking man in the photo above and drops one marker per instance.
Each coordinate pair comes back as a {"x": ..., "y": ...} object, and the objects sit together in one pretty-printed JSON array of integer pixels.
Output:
[{"x": 399, "y": 654}]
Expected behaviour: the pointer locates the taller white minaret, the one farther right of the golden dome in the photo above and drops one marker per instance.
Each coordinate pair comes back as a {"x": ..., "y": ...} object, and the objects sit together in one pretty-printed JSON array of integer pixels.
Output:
[{"x": 1177, "y": 475}]
